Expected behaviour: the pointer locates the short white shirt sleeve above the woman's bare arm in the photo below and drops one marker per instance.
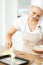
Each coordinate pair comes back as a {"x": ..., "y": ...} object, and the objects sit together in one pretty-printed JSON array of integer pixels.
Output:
[{"x": 20, "y": 23}]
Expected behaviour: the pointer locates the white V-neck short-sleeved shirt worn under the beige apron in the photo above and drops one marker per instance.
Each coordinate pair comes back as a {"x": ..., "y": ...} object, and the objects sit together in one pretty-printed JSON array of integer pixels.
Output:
[{"x": 20, "y": 24}]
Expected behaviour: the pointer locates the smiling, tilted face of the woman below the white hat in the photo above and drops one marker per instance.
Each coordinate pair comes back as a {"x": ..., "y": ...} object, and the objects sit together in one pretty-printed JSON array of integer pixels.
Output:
[{"x": 35, "y": 13}]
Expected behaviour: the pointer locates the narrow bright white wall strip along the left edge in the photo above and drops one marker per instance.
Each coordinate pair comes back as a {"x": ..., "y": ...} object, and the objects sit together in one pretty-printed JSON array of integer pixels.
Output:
[{"x": 2, "y": 21}]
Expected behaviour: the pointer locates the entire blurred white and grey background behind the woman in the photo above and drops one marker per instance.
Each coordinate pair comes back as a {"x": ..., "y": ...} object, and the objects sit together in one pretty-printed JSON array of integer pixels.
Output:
[{"x": 9, "y": 11}]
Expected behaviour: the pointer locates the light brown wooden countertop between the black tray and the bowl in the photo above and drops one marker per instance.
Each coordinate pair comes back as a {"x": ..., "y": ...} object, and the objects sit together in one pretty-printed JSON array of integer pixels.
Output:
[{"x": 26, "y": 56}]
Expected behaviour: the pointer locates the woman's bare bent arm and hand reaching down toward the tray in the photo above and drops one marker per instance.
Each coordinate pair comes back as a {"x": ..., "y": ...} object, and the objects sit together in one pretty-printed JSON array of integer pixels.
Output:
[{"x": 9, "y": 35}]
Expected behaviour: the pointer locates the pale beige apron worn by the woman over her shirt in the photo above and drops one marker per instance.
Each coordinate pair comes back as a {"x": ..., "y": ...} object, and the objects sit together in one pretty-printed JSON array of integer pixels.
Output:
[{"x": 31, "y": 39}]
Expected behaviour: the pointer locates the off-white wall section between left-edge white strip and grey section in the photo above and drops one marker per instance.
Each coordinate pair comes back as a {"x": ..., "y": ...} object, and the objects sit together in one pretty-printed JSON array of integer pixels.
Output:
[{"x": 11, "y": 13}]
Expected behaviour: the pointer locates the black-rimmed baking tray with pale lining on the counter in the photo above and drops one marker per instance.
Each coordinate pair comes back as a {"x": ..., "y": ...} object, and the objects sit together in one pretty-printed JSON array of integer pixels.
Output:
[{"x": 6, "y": 60}]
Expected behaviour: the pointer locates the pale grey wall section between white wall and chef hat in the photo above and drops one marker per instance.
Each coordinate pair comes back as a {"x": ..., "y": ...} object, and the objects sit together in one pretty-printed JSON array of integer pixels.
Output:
[{"x": 23, "y": 7}]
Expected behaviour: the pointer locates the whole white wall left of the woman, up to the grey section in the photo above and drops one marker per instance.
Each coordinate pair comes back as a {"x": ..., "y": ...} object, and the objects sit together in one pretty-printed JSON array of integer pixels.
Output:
[{"x": 8, "y": 14}]
